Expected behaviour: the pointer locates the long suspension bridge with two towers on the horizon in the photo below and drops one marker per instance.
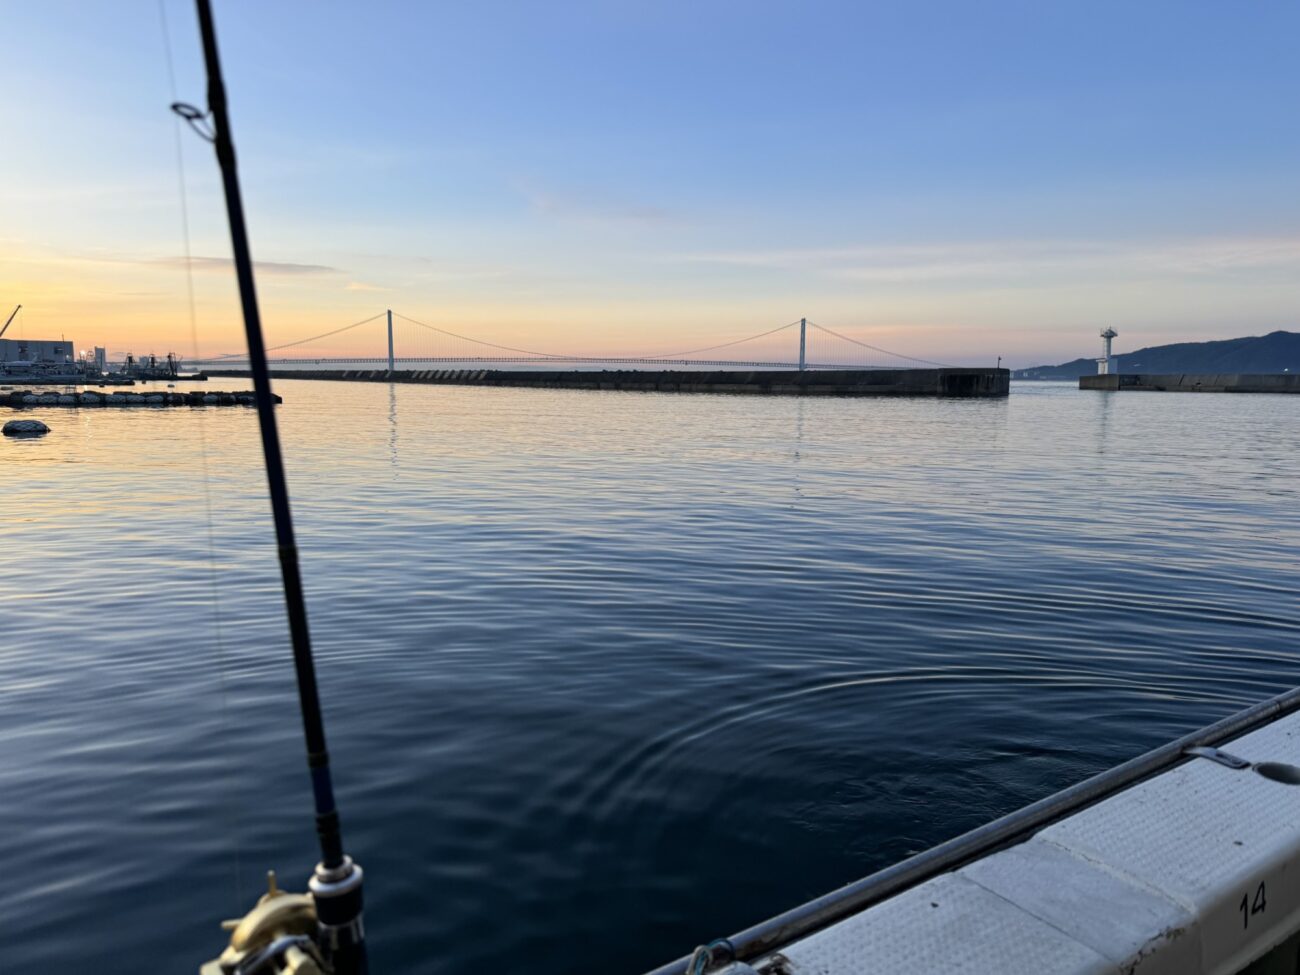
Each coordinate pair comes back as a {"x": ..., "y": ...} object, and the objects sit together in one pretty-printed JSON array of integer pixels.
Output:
[{"x": 404, "y": 344}]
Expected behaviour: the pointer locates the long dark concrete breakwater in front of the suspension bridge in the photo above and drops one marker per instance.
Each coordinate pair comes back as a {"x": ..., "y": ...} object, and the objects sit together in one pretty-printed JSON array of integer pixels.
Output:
[{"x": 829, "y": 383}]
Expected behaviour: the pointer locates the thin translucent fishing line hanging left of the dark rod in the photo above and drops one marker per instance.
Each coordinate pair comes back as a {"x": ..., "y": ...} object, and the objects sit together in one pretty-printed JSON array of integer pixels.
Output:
[{"x": 229, "y": 807}]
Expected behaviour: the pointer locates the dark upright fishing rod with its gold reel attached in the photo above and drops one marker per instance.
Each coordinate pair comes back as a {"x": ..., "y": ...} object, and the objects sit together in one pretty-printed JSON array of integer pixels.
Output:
[{"x": 336, "y": 885}]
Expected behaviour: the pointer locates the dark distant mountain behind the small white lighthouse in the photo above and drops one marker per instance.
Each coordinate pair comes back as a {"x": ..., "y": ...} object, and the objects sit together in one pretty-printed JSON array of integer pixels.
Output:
[{"x": 1279, "y": 352}]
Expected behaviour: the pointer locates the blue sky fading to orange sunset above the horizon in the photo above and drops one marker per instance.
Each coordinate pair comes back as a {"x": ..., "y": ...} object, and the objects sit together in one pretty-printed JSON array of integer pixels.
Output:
[{"x": 956, "y": 181}]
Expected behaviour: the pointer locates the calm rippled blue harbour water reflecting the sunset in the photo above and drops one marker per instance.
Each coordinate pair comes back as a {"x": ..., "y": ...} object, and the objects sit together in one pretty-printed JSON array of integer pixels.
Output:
[{"x": 606, "y": 675}]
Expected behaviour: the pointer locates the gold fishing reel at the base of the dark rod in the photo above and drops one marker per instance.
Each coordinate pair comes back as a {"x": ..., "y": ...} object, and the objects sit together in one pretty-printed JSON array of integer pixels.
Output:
[{"x": 276, "y": 938}]
